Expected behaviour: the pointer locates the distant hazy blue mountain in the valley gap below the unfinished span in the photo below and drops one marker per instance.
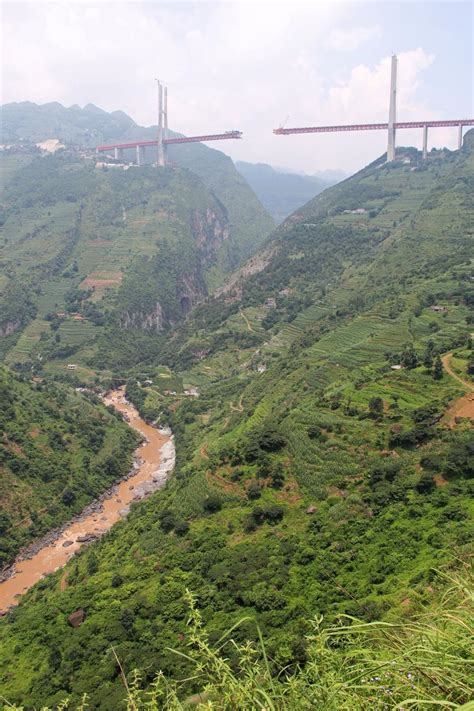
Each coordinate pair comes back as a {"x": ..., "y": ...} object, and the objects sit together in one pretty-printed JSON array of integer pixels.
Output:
[{"x": 281, "y": 193}]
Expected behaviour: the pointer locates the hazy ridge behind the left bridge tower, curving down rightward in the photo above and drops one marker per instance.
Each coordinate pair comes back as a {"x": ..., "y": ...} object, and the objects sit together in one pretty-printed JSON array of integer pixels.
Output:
[{"x": 88, "y": 127}]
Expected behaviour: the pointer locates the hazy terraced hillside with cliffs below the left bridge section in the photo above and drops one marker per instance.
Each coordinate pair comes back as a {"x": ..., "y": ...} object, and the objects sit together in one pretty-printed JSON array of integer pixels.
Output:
[{"x": 83, "y": 249}]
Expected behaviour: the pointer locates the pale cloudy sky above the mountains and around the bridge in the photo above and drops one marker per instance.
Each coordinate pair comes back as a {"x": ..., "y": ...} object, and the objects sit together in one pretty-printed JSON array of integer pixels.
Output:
[{"x": 250, "y": 66}]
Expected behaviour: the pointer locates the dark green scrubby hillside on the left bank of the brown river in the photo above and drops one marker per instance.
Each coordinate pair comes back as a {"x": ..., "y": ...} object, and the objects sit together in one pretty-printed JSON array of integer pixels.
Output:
[{"x": 58, "y": 450}]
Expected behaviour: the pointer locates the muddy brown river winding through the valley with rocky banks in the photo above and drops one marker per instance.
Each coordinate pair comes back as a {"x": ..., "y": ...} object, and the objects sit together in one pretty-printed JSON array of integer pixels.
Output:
[{"x": 154, "y": 462}]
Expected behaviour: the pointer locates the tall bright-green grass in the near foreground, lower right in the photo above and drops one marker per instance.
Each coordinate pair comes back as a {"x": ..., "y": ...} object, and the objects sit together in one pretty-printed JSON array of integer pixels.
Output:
[{"x": 424, "y": 663}]
